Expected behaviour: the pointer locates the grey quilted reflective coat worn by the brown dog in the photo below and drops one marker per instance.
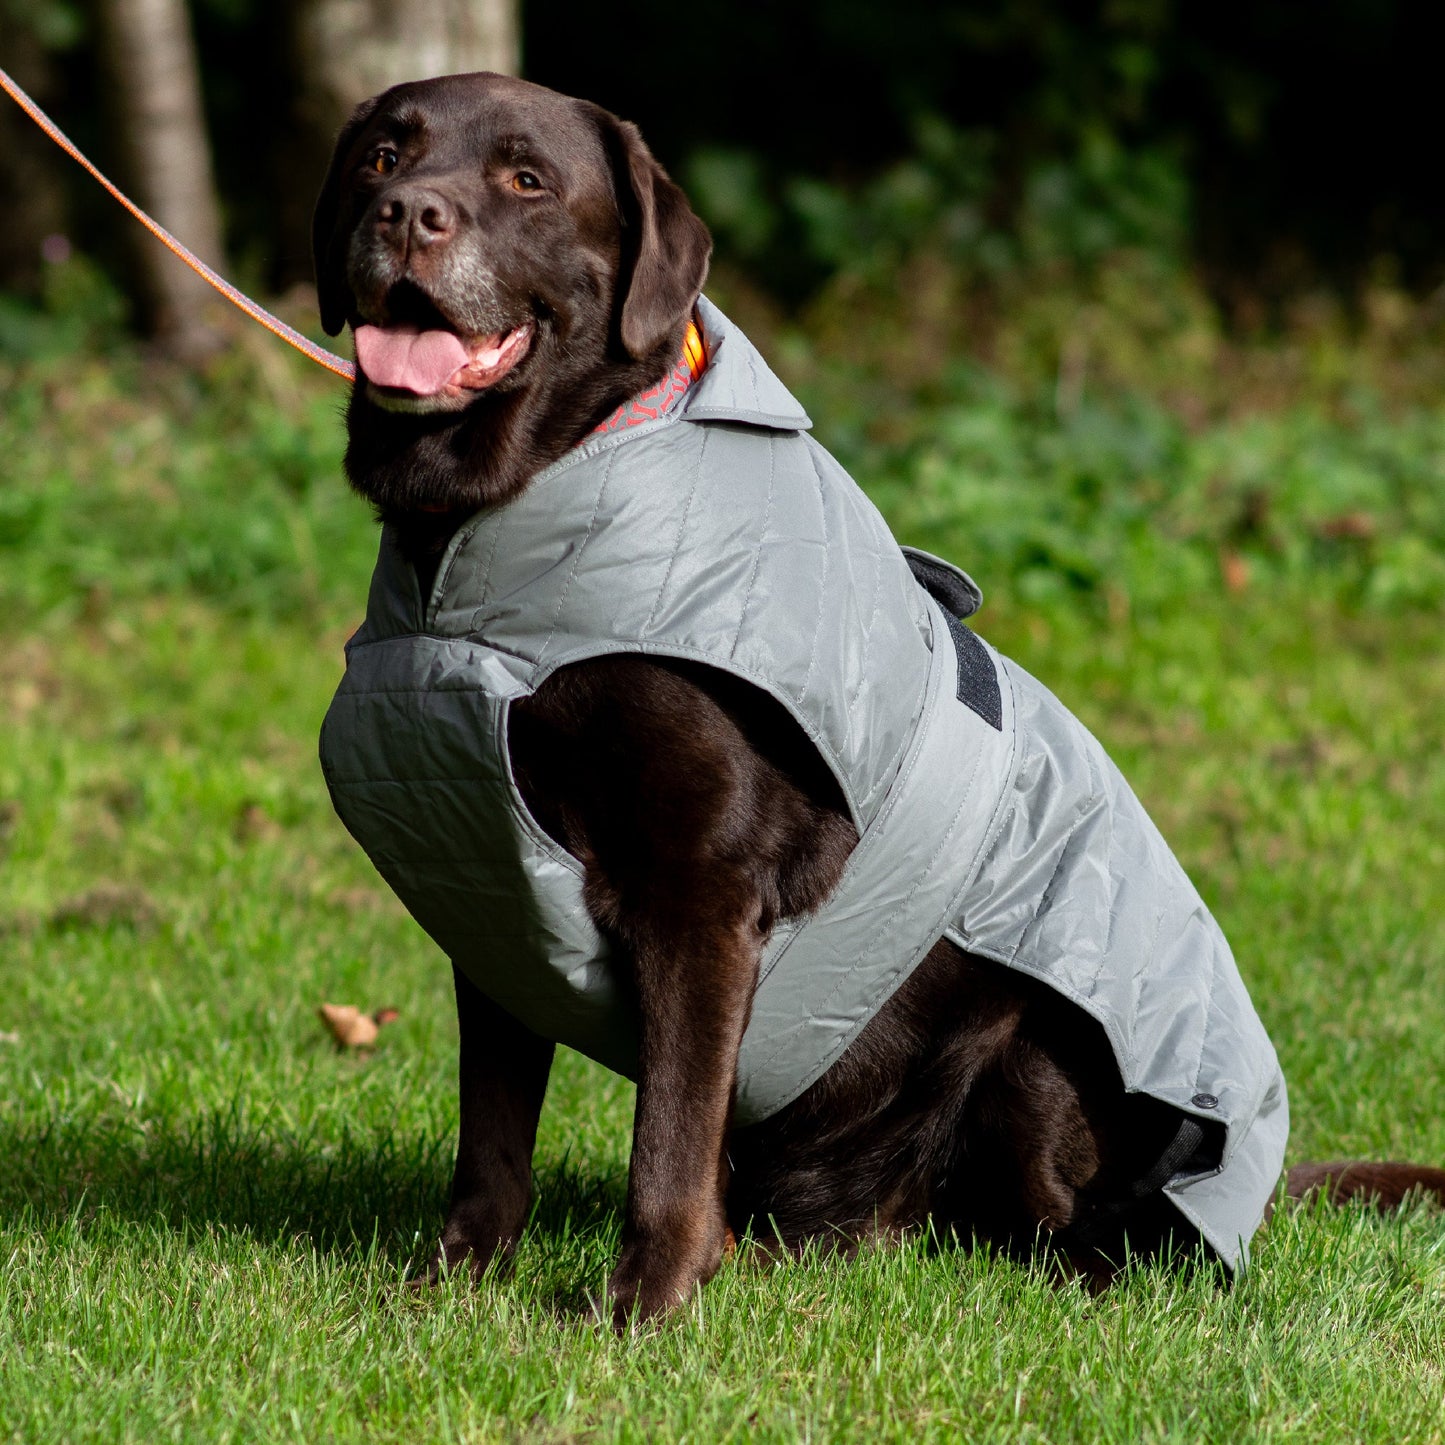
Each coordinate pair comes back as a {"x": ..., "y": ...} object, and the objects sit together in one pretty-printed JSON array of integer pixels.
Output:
[{"x": 723, "y": 534}]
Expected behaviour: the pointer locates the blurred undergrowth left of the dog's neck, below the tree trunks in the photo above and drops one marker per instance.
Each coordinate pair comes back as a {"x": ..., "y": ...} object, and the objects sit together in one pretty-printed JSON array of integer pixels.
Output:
[{"x": 128, "y": 478}]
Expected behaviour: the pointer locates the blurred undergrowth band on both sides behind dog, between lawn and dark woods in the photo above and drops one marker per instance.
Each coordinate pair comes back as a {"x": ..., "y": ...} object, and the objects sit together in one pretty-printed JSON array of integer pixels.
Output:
[{"x": 1093, "y": 439}]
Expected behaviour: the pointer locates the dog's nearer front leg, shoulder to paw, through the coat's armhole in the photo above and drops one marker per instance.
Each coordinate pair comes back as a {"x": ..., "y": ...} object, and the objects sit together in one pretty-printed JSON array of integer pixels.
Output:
[{"x": 645, "y": 771}]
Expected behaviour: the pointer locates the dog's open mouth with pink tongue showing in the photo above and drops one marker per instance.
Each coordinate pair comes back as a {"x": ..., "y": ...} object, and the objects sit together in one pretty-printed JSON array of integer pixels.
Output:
[{"x": 418, "y": 362}]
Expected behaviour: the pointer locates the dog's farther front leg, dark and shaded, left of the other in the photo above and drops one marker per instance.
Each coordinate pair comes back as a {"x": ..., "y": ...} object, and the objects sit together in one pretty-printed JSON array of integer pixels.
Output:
[{"x": 504, "y": 1070}]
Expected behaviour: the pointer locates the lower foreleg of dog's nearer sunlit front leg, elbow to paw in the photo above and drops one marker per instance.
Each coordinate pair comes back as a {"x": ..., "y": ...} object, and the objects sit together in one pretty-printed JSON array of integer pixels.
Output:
[{"x": 696, "y": 979}]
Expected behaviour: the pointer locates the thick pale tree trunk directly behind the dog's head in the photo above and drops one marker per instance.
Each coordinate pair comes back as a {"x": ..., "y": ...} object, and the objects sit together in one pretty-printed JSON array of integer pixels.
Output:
[{"x": 346, "y": 51}]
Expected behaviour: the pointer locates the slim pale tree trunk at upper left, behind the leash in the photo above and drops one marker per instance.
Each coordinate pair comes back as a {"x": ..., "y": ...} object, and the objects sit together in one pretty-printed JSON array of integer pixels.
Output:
[{"x": 150, "y": 57}]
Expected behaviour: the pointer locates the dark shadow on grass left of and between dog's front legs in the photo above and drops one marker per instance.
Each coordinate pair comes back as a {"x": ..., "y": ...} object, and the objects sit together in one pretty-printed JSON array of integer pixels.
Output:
[{"x": 365, "y": 1193}]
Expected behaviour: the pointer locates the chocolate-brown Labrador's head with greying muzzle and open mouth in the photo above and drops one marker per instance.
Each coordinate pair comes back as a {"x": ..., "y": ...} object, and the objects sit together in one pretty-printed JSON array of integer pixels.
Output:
[{"x": 514, "y": 264}]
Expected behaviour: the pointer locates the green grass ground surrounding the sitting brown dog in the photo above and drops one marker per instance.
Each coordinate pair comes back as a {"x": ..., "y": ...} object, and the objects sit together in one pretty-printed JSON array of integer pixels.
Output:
[{"x": 207, "y": 1216}]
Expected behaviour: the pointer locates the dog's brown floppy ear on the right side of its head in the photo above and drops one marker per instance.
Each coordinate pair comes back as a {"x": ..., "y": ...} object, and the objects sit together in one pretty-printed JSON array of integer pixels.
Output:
[{"x": 665, "y": 246}]
